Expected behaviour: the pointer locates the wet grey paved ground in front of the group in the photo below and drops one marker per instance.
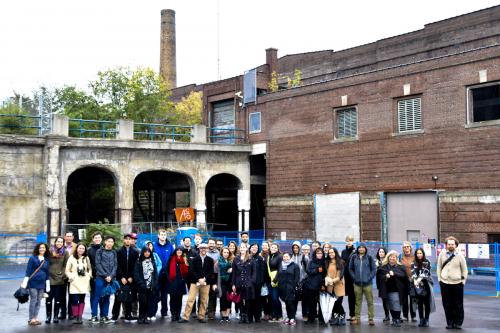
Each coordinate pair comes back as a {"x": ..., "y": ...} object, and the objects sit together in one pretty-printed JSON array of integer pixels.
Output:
[{"x": 482, "y": 315}]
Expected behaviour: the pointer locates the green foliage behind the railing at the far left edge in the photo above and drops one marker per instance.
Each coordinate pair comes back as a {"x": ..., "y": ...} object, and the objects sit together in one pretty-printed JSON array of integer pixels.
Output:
[{"x": 15, "y": 120}]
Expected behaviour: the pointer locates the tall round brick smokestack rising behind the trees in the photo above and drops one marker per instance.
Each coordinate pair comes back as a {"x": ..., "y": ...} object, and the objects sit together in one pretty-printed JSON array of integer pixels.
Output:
[{"x": 168, "y": 69}]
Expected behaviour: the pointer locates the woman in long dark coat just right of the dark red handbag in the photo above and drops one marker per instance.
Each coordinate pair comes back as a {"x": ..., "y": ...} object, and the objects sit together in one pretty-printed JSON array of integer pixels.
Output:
[{"x": 243, "y": 279}]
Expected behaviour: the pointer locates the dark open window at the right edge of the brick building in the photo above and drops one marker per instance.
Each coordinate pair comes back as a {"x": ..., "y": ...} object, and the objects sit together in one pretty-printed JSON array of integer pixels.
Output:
[{"x": 484, "y": 102}]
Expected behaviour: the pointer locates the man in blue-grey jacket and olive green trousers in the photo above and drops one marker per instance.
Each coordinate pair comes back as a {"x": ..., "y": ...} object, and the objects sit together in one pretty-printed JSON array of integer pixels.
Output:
[{"x": 363, "y": 269}]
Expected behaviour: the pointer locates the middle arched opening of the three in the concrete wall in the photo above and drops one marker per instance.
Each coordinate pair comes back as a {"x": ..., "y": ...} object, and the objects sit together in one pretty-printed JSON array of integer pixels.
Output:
[{"x": 158, "y": 193}]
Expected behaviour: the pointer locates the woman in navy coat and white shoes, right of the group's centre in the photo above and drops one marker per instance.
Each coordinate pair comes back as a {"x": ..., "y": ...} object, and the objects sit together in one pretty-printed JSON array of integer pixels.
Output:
[{"x": 288, "y": 278}]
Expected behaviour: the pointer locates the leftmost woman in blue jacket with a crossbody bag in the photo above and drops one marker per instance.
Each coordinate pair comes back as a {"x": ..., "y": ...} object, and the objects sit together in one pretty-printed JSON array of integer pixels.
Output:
[{"x": 37, "y": 280}]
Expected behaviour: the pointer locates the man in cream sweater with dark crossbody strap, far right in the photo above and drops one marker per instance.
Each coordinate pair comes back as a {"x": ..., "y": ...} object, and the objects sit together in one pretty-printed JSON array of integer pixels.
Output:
[{"x": 452, "y": 274}]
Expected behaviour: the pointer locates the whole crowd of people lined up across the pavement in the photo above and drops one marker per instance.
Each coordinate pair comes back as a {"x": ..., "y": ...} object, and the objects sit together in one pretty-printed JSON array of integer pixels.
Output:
[{"x": 254, "y": 277}]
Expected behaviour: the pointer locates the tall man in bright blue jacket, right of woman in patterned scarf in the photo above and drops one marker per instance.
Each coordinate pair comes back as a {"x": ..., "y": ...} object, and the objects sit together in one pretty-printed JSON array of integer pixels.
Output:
[{"x": 164, "y": 249}]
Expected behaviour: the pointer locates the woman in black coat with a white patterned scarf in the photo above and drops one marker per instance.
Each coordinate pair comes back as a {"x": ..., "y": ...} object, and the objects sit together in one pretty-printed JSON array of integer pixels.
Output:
[{"x": 146, "y": 279}]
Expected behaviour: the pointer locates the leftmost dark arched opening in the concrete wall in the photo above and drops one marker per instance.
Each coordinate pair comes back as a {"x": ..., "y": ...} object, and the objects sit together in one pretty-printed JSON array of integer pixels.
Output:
[{"x": 90, "y": 196}]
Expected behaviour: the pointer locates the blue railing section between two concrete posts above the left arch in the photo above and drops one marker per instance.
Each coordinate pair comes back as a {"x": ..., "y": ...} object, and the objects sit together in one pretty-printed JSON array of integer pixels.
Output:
[{"x": 82, "y": 128}]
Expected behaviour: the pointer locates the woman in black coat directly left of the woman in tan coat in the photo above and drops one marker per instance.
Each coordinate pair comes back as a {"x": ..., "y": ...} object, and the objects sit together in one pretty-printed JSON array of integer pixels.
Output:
[{"x": 315, "y": 279}]
